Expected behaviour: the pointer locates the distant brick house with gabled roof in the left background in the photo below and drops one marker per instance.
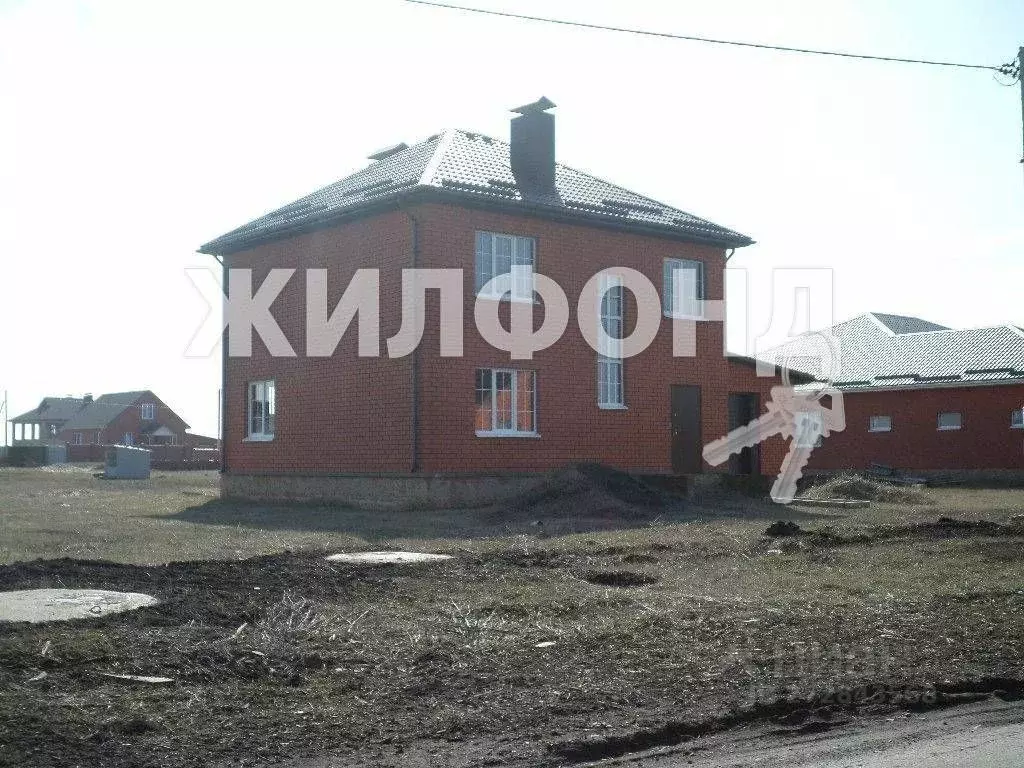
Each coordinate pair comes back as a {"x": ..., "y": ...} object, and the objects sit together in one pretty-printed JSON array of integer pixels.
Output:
[{"x": 125, "y": 418}]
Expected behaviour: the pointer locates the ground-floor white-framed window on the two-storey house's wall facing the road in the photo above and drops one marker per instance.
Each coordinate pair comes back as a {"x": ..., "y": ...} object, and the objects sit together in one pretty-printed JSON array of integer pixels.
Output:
[{"x": 506, "y": 403}]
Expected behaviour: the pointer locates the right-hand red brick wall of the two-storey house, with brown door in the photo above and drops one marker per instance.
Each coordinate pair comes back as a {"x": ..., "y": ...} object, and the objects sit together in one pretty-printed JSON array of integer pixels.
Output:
[{"x": 572, "y": 425}]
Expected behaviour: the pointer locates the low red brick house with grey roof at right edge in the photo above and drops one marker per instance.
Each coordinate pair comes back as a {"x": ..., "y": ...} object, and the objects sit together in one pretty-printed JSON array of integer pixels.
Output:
[{"x": 922, "y": 397}]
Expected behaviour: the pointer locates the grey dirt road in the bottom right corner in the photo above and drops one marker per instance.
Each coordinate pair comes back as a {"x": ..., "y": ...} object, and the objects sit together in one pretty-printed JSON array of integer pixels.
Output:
[{"x": 988, "y": 735}]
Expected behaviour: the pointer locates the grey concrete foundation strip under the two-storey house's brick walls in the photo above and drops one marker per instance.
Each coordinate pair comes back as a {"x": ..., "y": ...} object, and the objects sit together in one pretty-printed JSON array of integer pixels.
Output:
[{"x": 383, "y": 492}]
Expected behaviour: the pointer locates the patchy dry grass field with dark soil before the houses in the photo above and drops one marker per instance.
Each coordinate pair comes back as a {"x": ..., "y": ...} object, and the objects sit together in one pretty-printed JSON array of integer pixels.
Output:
[{"x": 525, "y": 650}]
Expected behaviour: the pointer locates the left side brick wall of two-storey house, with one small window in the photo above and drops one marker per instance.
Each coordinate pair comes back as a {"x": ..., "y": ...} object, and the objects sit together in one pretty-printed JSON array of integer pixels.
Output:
[{"x": 339, "y": 414}]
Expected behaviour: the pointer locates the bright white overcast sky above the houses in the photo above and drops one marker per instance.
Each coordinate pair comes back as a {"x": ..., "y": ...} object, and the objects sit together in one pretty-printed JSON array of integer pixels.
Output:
[{"x": 135, "y": 132}]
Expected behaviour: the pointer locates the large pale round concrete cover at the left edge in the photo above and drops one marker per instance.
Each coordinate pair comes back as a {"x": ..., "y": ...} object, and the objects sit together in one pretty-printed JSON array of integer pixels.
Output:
[{"x": 64, "y": 606}]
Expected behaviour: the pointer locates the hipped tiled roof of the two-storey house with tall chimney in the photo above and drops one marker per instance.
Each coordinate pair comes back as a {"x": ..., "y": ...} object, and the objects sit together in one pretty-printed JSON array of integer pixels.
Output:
[{"x": 475, "y": 167}]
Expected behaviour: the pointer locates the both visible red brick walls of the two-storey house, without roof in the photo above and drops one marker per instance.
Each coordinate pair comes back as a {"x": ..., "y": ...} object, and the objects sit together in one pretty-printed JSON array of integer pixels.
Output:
[{"x": 348, "y": 414}]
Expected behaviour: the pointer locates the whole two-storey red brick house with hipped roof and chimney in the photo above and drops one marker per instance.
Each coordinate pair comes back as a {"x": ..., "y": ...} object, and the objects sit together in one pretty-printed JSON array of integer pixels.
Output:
[{"x": 464, "y": 200}]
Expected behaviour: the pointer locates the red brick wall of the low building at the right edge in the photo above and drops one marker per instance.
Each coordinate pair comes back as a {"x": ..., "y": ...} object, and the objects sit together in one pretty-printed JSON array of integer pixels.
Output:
[{"x": 986, "y": 442}]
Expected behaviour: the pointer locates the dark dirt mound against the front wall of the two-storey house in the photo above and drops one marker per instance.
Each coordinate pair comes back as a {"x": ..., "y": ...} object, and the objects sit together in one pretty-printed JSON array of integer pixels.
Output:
[{"x": 590, "y": 491}]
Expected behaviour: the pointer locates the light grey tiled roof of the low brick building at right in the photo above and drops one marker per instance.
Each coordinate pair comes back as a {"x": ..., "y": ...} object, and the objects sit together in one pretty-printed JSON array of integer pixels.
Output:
[{"x": 872, "y": 355}]
